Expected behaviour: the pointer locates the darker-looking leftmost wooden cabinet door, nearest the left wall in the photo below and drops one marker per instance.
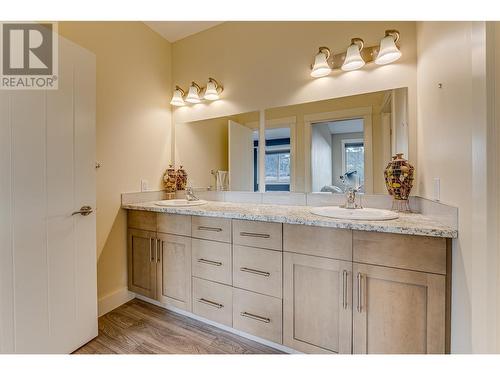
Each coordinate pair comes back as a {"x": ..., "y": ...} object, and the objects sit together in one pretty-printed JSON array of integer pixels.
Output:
[{"x": 142, "y": 262}]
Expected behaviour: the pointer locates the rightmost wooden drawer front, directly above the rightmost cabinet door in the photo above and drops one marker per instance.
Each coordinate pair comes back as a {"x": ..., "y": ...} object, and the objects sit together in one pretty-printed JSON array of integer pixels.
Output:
[{"x": 418, "y": 253}]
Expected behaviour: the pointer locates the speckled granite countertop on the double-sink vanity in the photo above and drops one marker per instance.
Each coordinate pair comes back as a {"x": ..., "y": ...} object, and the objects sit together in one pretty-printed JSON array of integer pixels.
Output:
[{"x": 407, "y": 223}]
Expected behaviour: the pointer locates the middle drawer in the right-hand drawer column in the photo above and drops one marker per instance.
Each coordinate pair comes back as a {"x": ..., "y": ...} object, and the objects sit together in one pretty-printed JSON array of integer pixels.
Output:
[{"x": 257, "y": 270}]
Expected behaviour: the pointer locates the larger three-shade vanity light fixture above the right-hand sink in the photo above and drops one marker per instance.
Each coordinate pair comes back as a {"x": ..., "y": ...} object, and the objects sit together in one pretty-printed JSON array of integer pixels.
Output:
[{"x": 357, "y": 55}]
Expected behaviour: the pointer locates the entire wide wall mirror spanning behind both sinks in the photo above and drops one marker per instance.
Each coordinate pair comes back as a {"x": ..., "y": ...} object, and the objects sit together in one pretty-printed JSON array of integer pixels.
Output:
[{"x": 309, "y": 147}]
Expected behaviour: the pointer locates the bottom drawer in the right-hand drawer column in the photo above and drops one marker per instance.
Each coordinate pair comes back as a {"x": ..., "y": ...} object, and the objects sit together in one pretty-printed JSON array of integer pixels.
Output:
[{"x": 257, "y": 314}]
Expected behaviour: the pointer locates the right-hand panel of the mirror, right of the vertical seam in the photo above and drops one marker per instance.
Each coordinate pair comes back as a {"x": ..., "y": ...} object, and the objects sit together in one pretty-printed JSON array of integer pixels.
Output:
[{"x": 329, "y": 139}]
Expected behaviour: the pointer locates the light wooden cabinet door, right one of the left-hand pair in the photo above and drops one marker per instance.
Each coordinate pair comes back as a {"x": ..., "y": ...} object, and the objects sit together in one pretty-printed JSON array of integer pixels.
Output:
[{"x": 174, "y": 271}]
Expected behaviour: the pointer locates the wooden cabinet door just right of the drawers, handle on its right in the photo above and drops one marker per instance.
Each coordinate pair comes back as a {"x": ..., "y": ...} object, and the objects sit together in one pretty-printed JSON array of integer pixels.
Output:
[{"x": 317, "y": 304}]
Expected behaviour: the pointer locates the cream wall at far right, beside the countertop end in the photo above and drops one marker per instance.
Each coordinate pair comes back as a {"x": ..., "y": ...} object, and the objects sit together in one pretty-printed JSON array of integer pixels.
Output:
[{"x": 453, "y": 145}]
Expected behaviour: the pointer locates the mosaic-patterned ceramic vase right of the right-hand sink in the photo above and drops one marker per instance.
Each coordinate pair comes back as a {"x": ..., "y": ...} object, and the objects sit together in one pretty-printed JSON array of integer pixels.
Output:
[{"x": 399, "y": 181}]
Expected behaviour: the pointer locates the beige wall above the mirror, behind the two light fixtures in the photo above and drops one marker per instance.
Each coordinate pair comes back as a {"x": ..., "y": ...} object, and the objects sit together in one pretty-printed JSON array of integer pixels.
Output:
[{"x": 266, "y": 64}]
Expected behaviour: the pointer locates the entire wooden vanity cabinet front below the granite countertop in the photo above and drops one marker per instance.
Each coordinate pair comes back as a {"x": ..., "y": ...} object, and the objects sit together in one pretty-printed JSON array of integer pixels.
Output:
[{"x": 312, "y": 289}]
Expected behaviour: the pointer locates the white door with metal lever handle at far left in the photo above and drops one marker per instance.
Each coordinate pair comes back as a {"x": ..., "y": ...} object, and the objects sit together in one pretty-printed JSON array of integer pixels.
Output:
[{"x": 48, "y": 299}]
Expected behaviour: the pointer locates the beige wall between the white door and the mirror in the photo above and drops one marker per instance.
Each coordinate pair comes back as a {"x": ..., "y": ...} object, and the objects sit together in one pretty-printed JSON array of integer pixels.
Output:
[{"x": 133, "y": 127}]
